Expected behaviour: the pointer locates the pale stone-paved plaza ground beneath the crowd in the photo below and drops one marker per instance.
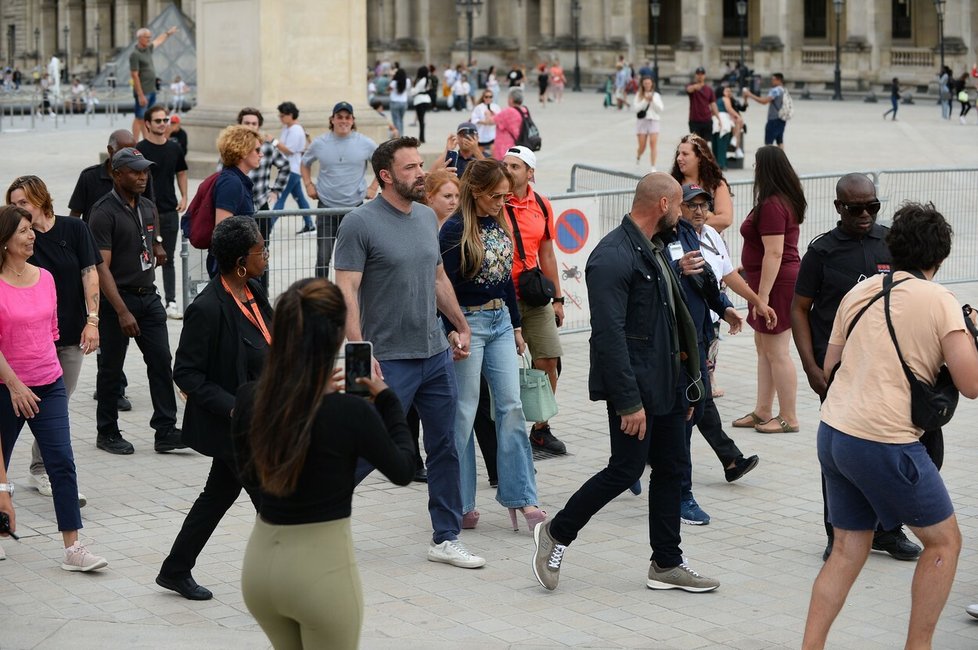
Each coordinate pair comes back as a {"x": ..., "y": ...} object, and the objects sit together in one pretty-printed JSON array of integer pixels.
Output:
[{"x": 764, "y": 542}]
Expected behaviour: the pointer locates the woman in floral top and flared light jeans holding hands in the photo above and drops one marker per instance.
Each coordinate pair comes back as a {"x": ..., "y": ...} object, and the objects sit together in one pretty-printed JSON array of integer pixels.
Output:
[{"x": 477, "y": 251}]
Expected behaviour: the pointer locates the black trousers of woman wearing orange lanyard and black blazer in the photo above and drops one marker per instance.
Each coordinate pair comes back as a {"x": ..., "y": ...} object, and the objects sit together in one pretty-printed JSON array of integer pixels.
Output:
[{"x": 220, "y": 493}]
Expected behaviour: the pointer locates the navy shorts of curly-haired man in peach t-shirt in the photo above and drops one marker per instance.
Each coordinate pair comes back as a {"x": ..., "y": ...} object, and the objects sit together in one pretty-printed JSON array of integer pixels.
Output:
[{"x": 870, "y": 482}]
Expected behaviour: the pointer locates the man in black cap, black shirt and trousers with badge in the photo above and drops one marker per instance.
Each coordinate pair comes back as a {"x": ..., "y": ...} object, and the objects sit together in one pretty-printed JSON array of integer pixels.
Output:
[{"x": 126, "y": 227}]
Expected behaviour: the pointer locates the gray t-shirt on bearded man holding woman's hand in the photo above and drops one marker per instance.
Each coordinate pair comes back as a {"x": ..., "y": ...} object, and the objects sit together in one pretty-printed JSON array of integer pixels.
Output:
[{"x": 398, "y": 255}]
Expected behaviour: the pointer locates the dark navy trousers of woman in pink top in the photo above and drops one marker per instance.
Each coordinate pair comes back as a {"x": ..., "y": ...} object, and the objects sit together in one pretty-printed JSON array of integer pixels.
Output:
[{"x": 51, "y": 431}]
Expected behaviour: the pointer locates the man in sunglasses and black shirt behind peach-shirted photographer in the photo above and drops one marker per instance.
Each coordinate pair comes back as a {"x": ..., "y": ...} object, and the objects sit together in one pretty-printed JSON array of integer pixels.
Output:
[{"x": 834, "y": 263}]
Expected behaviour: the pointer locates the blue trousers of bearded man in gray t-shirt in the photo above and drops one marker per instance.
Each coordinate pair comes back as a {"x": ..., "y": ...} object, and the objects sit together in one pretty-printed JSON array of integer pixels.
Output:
[{"x": 429, "y": 385}]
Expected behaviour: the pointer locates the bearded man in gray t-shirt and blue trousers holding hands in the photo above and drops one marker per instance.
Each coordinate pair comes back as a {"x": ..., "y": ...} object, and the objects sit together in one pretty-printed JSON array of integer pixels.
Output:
[{"x": 389, "y": 268}]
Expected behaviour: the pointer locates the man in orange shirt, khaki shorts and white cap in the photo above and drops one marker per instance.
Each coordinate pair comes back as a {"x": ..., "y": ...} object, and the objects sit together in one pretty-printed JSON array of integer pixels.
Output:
[{"x": 534, "y": 217}]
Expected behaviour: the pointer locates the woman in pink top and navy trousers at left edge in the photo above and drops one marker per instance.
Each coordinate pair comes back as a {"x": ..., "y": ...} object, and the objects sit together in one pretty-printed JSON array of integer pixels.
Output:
[{"x": 31, "y": 387}]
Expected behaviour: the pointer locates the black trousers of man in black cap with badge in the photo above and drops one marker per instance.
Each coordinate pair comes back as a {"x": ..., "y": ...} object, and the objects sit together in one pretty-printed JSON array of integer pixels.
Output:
[{"x": 153, "y": 342}]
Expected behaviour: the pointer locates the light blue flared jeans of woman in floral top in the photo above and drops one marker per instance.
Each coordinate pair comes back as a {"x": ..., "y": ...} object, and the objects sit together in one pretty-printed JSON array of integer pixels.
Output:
[{"x": 493, "y": 352}]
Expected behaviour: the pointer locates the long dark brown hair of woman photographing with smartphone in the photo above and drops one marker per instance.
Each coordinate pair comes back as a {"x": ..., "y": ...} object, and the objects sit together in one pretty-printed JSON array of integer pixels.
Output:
[{"x": 307, "y": 330}]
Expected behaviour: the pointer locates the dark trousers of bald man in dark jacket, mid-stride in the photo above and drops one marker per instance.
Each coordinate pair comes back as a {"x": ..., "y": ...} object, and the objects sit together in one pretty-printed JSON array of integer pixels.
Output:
[{"x": 664, "y": 449}]
